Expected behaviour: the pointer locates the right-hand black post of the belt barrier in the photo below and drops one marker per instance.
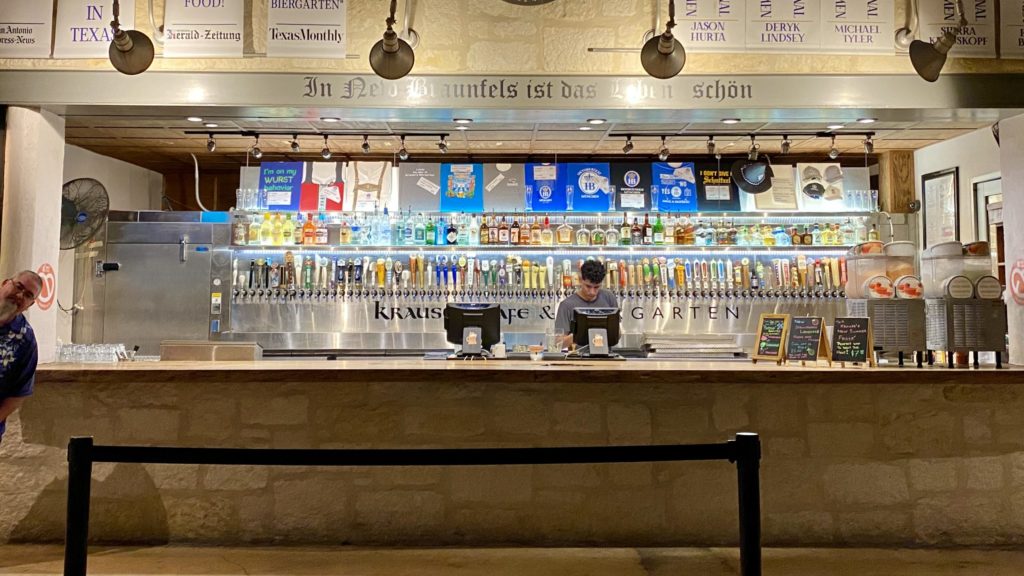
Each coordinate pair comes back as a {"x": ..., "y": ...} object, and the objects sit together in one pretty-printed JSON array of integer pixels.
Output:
[{"x": 749, "y": 474}]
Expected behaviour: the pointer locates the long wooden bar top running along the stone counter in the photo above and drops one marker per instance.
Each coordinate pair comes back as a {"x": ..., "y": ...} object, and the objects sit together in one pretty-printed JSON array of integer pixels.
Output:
[{"x": 419, "y": 371}]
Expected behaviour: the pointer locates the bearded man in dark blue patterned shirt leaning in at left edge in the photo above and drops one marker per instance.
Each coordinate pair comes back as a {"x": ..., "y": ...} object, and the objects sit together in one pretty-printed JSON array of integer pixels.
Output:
[{"x": 19, "y": 354}]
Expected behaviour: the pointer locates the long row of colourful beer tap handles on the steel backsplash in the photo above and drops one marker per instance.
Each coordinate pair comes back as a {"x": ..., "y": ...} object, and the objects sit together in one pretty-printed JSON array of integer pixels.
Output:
[{"x": 324, "y": 278}]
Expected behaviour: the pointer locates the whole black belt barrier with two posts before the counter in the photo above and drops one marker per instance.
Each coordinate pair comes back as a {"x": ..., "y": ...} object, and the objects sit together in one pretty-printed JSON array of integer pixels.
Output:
[{"x": 745, "y": 451}]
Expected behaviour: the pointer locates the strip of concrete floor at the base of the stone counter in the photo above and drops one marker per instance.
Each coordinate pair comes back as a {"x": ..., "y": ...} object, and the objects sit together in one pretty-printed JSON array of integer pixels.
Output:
[{"x": 35, "y": 560}]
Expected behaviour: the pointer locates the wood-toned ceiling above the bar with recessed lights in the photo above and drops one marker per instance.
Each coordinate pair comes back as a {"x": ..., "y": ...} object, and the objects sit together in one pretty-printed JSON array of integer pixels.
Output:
[{"x": 163, "y": 143}]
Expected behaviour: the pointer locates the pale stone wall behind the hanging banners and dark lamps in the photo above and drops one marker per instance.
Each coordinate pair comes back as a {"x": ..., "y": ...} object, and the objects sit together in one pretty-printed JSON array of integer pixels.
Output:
[{"x": 496, "y": 37}]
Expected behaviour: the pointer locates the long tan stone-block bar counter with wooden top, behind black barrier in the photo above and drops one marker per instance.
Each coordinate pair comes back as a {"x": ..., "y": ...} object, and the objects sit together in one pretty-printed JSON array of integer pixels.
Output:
[{"x": 852, "y": 457}]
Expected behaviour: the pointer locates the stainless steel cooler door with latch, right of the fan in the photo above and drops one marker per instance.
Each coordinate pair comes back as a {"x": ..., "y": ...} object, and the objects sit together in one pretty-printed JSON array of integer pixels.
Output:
[{"x": 156, "y": 297}]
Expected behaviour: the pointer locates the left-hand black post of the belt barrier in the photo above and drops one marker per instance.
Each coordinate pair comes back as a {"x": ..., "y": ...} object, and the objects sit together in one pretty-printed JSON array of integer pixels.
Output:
[{"x": 79, "y": 488}]
